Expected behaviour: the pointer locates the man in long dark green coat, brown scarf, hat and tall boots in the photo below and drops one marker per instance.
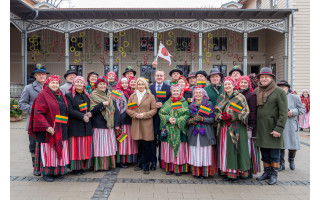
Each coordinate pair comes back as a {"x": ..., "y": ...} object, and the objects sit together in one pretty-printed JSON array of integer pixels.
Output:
[{"x": 272, "y": 114}]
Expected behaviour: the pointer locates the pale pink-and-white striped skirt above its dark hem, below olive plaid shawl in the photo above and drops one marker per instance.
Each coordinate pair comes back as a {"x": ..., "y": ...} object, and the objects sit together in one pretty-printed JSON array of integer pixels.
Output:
[{"x": 104, "y": 142}]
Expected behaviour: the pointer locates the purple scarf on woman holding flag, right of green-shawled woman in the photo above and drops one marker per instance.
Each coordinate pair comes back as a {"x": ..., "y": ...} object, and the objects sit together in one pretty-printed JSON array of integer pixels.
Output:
[{"x": 194, "y": 110}]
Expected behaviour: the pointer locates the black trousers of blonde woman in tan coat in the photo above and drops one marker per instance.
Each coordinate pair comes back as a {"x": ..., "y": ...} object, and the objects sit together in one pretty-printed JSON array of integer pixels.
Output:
[{"x": 145, "y": 153}]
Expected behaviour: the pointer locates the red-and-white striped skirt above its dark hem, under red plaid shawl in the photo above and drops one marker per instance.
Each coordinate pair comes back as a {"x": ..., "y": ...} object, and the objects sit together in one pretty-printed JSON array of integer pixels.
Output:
[{"x": 49, "y": 155}]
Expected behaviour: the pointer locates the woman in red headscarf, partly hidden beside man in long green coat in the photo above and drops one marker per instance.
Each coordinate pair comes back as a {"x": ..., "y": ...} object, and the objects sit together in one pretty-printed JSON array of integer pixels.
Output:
[{"x": 245, "y": 88}]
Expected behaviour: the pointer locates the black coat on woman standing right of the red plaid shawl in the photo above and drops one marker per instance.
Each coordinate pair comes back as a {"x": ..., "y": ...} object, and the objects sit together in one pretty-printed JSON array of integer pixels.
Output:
[{"x": 77, "y": 127}]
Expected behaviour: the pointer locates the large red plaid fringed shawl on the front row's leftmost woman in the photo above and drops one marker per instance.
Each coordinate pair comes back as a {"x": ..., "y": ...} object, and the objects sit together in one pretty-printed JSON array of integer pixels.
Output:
[{"x": 43, "y": 113}]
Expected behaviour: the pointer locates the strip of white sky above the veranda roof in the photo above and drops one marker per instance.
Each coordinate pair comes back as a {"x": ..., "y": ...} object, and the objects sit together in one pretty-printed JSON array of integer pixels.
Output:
[{"x": 144, "y": 3}]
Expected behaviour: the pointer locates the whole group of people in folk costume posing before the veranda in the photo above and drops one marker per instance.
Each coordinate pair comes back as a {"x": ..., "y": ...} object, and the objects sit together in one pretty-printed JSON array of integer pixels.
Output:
[{"x": 203, "y": 123}]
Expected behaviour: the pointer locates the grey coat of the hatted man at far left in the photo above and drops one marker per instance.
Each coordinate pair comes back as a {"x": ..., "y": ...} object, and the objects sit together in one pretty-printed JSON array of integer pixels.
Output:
[{"x": 29, "y": 93}]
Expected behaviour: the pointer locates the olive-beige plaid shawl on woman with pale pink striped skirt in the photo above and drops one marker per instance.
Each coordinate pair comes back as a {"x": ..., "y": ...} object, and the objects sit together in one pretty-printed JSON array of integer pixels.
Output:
[{"x": 96, "y": 97}]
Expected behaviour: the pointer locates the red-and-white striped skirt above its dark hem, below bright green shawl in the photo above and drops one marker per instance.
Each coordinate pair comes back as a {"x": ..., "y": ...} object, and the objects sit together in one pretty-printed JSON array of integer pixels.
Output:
[{"x": 167, "y": 154}]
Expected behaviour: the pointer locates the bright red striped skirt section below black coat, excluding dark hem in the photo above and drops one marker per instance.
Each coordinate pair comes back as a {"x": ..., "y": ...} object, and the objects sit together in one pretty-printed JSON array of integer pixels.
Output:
[{"x": 80, "y": 148}]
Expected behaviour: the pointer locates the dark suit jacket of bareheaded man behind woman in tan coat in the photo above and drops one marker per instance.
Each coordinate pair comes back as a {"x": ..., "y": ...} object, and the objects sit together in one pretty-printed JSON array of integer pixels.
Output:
[{"x": 156, "y": 118}]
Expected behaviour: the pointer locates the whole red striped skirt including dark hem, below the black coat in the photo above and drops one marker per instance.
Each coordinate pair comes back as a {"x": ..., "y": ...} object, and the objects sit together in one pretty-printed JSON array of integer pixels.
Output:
[{"x": 81, "y": 152}]
